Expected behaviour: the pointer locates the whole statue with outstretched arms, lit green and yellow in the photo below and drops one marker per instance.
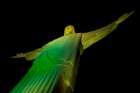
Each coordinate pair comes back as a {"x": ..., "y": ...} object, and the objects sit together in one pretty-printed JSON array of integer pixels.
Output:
[{"x": 55, "y": 64}]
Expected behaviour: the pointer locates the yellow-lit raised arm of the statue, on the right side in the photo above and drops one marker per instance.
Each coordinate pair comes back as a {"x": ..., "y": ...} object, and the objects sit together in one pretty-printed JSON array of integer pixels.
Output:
[{"x": 92, "y": 37}]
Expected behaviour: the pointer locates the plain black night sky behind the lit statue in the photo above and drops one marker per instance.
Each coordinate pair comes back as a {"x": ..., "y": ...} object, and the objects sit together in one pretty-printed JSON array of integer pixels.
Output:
[{"x": 104, "y": 67}]
